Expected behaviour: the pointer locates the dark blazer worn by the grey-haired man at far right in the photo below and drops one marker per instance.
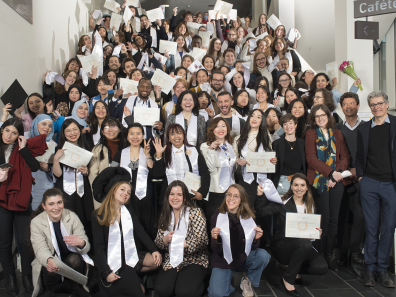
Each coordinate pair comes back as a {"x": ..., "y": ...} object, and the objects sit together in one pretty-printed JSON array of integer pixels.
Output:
[{"x": 362, "y": 146}]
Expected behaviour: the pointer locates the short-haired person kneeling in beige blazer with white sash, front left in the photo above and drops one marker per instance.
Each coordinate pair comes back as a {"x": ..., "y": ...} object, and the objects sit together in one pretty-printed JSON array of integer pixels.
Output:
[{"x": 57, "y": 232}]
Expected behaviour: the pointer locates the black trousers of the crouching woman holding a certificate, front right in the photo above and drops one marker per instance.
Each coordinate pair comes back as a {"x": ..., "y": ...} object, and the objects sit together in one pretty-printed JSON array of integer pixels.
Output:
[{"x": 300, "y": 257}]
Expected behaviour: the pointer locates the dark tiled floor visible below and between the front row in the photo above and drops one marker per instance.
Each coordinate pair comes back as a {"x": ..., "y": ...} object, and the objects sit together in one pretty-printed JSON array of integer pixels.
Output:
[{"x": 340, "y": 284}]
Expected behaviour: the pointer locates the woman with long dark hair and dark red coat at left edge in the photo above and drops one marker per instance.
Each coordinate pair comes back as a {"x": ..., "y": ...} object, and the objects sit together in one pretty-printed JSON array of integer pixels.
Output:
[{"x": 15, "y": 198}]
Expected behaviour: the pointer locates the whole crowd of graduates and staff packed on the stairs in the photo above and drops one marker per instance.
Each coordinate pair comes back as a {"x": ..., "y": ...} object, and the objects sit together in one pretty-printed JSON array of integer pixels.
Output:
[{"x": 133, "y": 208}]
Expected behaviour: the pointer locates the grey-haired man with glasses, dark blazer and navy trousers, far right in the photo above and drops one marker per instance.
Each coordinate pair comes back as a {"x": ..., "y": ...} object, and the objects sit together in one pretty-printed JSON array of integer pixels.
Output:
[{"x": 376, "y": 173}]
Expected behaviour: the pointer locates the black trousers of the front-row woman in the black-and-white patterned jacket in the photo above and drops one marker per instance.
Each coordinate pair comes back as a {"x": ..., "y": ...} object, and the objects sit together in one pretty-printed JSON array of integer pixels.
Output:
[{"x": 188, "y": 282}]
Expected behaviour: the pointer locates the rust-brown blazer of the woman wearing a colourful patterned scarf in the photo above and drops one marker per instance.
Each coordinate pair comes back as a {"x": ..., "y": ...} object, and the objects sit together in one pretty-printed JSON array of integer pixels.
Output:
[{"x": 342, "y": 156}]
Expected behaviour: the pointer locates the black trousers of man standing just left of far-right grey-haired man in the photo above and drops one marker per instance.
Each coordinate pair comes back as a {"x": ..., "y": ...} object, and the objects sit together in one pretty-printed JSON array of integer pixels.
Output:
[{"x": 351, "y": 239}]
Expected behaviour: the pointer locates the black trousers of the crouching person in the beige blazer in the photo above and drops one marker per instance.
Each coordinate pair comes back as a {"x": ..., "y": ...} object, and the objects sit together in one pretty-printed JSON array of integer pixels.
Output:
[{"x": 52, "y": 279}]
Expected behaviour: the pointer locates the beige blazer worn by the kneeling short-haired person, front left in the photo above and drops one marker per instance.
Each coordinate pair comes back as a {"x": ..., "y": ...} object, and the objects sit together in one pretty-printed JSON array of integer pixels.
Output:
[{"x": 42, "y": 243}]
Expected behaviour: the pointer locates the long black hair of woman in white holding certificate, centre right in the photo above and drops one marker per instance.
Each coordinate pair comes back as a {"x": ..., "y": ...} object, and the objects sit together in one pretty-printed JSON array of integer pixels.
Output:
[{"x": 262, "y": 136}]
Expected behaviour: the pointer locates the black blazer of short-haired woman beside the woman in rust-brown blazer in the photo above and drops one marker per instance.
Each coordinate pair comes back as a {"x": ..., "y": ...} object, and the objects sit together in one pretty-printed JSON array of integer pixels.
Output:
[{"x": 279, "y": 147}]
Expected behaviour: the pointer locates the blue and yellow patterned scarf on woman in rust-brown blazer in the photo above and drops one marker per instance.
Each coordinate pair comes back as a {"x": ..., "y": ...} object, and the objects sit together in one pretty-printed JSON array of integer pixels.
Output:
[{"x": 327, "y": 153}]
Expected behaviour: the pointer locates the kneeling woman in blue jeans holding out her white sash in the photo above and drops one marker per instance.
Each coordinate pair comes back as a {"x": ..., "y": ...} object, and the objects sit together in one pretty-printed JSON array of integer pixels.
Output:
[{"x": 236, "y": 247}]
